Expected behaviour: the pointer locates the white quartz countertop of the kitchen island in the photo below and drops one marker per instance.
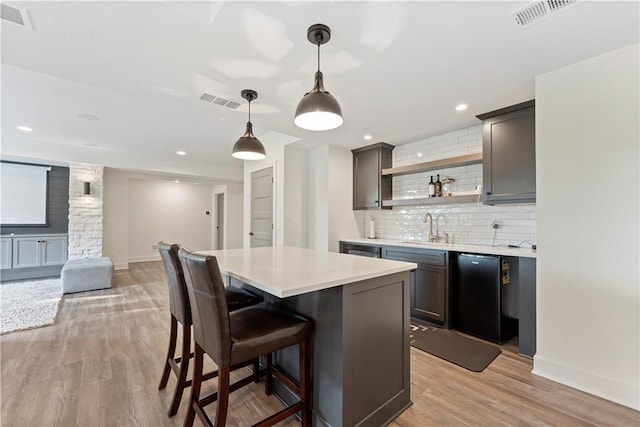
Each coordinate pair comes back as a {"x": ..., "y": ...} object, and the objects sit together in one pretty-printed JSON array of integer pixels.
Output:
[{"x": 287, "y": 271}]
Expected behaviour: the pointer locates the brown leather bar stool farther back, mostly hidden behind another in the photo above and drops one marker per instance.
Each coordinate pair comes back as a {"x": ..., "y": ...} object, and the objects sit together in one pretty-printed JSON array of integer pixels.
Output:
[{"x": 181, "y": 313}]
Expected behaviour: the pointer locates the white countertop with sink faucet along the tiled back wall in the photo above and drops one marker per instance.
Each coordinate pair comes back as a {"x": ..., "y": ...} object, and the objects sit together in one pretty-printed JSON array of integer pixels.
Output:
[{"x": 455, "y": 247}]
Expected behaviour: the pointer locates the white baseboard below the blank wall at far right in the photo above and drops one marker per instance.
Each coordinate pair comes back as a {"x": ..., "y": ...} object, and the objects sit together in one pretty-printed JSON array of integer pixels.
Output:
[{"x": 624, "y": 393}]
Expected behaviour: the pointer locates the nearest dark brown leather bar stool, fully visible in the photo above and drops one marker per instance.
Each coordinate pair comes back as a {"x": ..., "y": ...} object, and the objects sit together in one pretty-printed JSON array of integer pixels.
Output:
[{"x": 234, "y": 339}]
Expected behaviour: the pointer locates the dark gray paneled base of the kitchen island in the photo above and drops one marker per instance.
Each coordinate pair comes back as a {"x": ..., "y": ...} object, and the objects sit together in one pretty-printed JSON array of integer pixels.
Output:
[{"x": 361, "y": 359}]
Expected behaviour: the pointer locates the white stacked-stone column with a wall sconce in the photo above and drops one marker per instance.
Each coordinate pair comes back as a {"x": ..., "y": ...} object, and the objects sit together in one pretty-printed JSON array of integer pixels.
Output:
[{"x": 85, "y": 211}]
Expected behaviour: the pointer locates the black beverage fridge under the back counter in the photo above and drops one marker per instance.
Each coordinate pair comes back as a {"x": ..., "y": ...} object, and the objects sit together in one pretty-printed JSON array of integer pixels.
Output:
[{"x": 481, "y": 286}]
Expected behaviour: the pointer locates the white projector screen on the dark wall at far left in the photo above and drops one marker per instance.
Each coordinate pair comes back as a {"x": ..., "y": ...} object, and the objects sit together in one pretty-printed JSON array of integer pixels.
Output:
[{"x": 23, "y": 194}]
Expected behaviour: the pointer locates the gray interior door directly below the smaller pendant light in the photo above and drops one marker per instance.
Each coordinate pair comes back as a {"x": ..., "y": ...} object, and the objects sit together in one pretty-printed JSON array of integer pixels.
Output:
[{"x": 262, "y": 208}]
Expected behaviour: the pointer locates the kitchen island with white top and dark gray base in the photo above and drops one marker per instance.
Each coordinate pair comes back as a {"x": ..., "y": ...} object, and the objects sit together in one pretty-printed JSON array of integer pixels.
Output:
[{"x": 360, "y": 310}]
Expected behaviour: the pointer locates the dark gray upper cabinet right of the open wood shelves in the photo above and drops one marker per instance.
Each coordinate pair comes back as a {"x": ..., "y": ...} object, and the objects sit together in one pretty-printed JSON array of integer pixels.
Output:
[{"x": 509, "y": 154}]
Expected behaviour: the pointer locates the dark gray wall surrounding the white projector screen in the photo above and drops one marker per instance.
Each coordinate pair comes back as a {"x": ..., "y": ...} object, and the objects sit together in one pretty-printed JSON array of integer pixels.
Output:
[{"x": 57, "y": 206}]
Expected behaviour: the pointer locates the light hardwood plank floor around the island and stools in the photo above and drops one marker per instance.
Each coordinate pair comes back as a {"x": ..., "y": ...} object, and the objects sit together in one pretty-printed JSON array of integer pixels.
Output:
[{"x": 101, "y": 363}]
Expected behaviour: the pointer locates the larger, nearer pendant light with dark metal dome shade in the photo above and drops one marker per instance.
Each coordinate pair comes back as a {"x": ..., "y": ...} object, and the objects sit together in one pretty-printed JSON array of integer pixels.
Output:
[{"x": 318, "y": 109}]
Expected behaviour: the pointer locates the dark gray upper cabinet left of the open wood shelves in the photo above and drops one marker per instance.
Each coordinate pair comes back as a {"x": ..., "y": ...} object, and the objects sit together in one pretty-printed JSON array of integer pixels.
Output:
[{"x": 370, "y": 187}]
